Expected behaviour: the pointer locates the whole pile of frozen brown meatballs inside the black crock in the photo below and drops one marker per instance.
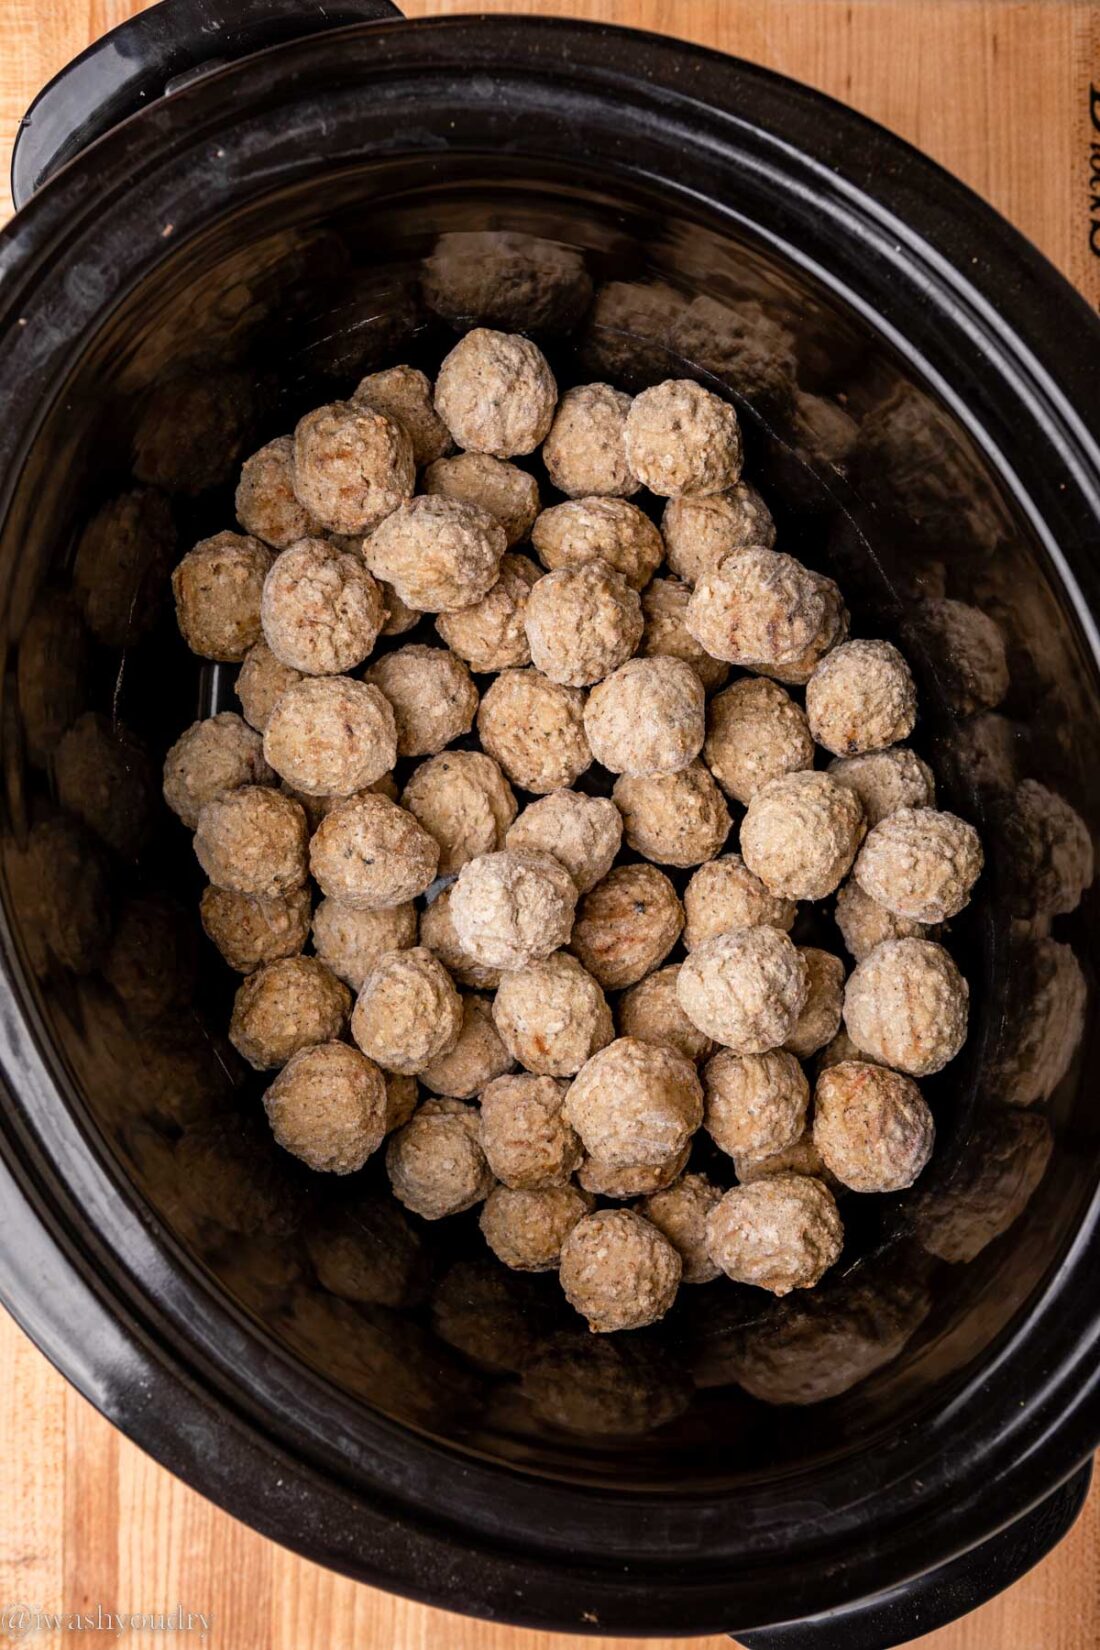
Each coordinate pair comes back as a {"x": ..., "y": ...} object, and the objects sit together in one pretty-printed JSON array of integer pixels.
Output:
[{"x": 454, "y": 1009}]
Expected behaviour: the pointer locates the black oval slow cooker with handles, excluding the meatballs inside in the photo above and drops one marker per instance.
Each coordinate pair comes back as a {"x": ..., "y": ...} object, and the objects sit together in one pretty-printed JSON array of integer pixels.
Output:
[{"x": 228, "y": 215}]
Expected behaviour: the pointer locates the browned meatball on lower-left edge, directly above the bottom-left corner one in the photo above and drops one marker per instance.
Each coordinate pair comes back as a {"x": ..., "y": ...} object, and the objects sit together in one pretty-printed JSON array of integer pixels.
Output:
[{"x": 288, "y": 1006}]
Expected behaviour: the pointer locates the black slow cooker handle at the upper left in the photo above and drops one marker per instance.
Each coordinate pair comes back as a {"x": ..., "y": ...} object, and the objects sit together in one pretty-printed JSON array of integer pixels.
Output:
[{"x": 154, "y": 54}]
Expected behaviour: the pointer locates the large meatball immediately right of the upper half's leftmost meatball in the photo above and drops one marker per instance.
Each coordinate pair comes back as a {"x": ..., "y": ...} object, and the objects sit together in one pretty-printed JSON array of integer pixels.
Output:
[{"x": 322, "y": 611}]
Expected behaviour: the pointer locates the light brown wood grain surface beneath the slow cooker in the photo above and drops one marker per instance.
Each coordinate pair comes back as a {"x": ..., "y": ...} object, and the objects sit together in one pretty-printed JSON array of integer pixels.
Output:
[{"x": 999, "y": 93}]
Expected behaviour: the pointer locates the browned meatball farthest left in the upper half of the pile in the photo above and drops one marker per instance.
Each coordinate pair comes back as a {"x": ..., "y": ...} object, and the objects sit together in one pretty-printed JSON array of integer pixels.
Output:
[{"x": 219, "y": 590}]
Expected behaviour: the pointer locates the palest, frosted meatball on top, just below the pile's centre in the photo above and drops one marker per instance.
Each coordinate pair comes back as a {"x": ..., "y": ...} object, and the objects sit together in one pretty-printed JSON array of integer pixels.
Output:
[{"x": 514, "y": 907}]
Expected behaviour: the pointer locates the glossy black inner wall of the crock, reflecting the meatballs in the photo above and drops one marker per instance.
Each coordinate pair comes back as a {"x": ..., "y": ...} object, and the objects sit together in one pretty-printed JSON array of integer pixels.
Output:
[{"x": 225, "y": 346}]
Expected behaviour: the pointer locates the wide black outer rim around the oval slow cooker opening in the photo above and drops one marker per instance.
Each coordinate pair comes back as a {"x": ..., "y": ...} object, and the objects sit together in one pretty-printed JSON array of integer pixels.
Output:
[{"x": 105, "y": 1291}]
